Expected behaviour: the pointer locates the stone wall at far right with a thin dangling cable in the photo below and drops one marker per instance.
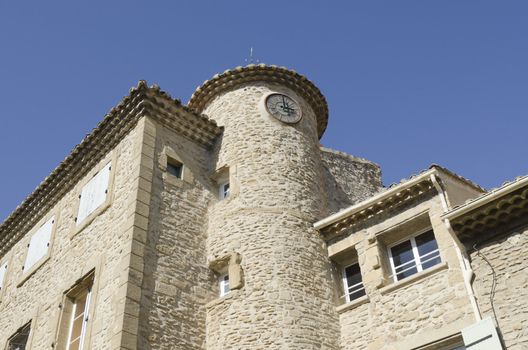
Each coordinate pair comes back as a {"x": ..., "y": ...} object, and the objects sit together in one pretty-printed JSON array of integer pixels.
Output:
[{"x": 507, "y": 255}]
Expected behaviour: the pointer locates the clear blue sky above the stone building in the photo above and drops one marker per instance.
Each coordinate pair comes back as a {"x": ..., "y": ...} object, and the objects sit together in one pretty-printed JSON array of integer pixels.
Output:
[{"x": 409, "y": 83}]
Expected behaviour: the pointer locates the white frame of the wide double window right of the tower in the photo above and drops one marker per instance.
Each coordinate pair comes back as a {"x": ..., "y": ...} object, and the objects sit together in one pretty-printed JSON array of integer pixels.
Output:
[{"x": 416, "y": 255}]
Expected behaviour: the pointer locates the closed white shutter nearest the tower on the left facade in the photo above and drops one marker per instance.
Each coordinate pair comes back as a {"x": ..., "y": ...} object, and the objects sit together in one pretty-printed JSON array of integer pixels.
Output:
[{"x": 94, "y": 193}]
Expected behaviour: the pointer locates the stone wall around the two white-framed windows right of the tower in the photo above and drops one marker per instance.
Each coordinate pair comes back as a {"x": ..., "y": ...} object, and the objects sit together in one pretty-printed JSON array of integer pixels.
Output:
[{"x": 404, "y": 314}]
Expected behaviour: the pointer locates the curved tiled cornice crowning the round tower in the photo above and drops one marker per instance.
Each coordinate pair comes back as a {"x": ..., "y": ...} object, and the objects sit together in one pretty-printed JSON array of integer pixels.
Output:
[{"x": 272, "y": 74}]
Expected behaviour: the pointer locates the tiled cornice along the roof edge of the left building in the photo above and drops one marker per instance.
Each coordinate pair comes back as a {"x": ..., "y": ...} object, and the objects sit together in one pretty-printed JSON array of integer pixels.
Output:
[{"x": 142, "y": 101}]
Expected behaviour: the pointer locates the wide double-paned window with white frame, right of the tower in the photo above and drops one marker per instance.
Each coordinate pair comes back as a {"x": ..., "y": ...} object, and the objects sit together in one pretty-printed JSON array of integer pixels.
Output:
[{"x": 413, "y": 255}]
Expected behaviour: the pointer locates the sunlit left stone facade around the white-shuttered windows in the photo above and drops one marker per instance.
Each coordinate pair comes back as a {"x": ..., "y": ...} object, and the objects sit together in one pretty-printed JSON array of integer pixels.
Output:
[{"x": 101, "y": 246}]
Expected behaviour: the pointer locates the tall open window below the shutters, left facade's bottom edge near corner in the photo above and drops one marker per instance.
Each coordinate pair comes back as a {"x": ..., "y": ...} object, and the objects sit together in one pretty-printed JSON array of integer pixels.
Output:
[{"x": 75, "y": 315}]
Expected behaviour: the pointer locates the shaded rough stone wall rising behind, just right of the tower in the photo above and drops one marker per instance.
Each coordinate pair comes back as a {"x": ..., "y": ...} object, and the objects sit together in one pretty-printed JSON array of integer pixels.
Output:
[{"x": 348, "y": 179}]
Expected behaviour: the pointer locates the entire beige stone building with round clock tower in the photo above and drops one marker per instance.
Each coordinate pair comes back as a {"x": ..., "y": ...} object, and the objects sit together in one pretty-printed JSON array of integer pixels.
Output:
[{"x": 223, "y": 224}]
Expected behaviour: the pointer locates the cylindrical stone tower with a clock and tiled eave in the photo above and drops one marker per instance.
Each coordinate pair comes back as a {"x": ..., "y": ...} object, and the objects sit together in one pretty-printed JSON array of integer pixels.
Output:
[{"x": 272, "y": 161}]
